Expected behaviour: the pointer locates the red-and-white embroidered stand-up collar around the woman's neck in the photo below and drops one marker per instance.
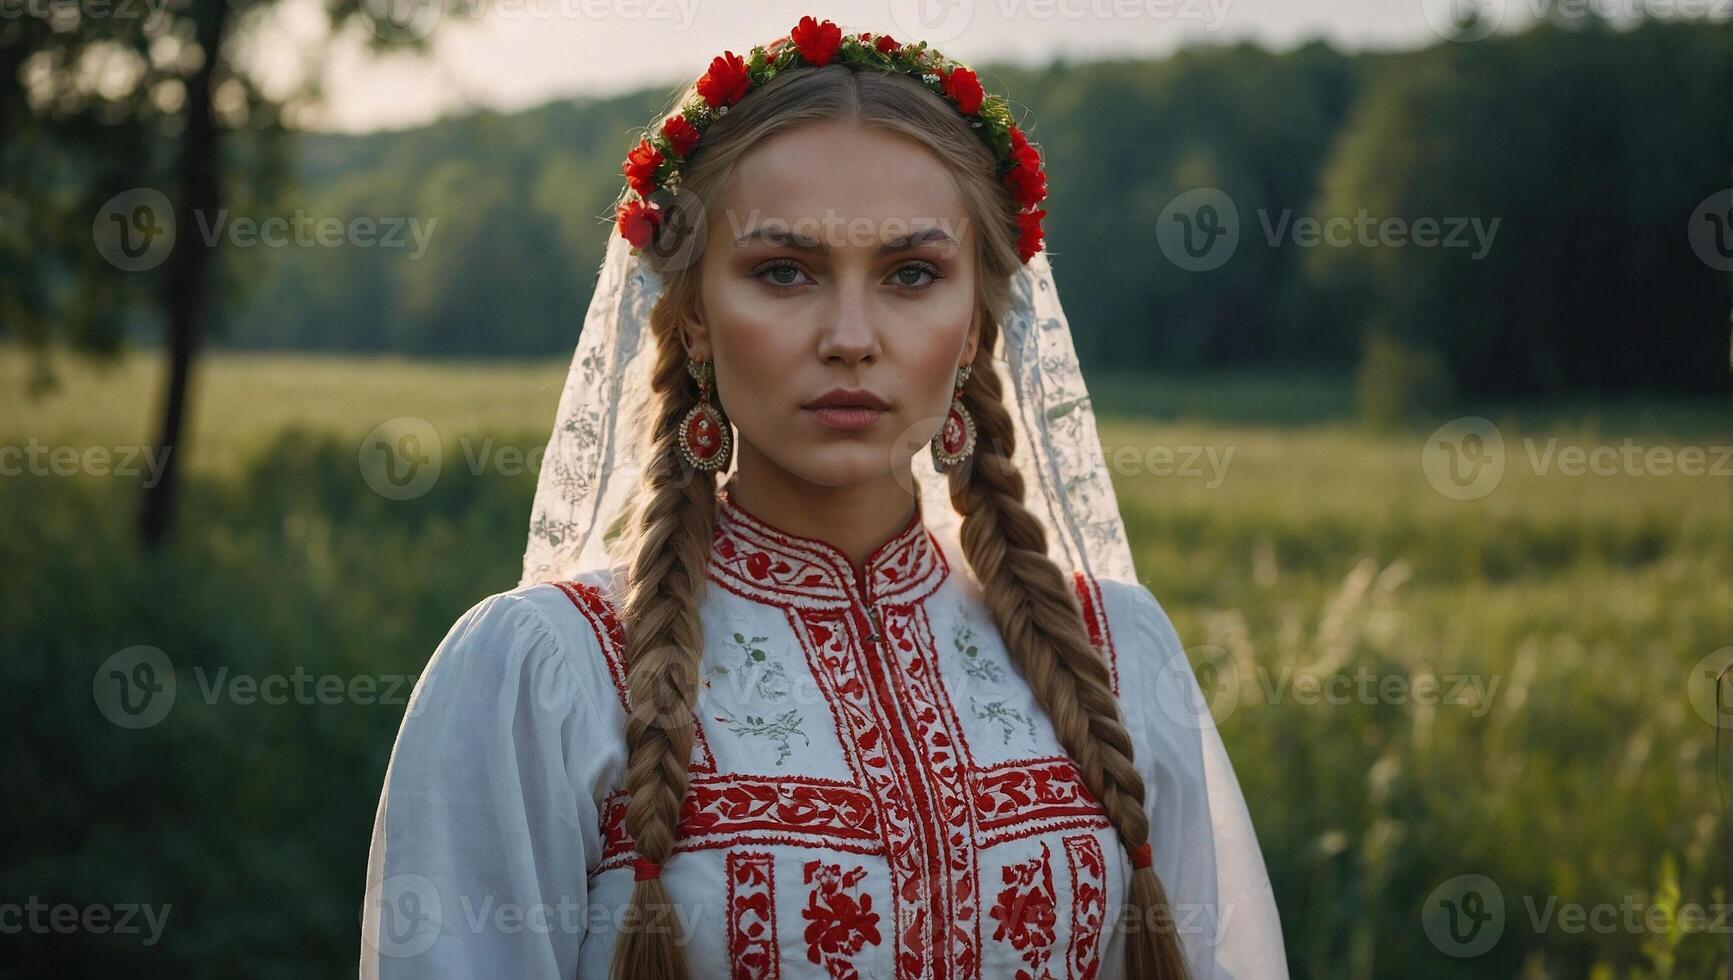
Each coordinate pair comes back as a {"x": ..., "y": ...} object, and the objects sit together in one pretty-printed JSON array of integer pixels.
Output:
[{"x": 770, "y": 565}]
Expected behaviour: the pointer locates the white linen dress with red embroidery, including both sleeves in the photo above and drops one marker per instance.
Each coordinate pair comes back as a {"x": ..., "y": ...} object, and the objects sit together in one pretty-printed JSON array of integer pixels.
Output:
[{"x": 874, "y": 792}]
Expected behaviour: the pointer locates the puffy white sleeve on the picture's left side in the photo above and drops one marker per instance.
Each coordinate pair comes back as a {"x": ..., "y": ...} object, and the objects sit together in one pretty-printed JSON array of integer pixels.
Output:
[{"x": 477, "y": 863}]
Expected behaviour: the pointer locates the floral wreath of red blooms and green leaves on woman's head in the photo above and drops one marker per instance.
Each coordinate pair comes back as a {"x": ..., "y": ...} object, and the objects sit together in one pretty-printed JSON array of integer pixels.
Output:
[{"x": 654, "y": 164}]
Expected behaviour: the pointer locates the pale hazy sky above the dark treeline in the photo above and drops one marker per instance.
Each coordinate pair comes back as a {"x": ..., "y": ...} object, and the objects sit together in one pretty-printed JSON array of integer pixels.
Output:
[{"x": 510, "y": 55}]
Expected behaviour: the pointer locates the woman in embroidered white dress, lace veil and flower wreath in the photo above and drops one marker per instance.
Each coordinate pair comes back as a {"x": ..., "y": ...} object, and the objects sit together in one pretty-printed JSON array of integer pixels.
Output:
[{"x": 793, "y": 719}]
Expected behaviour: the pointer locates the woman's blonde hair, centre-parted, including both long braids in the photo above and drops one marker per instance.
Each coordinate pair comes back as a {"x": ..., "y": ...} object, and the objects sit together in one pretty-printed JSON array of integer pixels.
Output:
[{"x": 1030, "y": 598}]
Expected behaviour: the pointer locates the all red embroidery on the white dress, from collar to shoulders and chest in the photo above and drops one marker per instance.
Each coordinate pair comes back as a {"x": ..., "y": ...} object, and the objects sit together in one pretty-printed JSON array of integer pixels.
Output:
[{"x": 916, "y": 795}]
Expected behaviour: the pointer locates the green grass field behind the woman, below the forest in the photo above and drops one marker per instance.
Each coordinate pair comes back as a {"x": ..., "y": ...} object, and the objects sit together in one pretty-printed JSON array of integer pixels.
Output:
[{"x": 1318, "y": 573}]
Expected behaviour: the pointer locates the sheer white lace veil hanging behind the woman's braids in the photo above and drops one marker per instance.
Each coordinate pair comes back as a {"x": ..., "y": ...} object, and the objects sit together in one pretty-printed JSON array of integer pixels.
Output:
[{"x": 592, "y": 464}]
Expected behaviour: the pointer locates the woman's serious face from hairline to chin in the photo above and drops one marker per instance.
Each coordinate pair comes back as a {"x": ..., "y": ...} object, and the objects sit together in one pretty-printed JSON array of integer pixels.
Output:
[{"x": 840, "y": 258}]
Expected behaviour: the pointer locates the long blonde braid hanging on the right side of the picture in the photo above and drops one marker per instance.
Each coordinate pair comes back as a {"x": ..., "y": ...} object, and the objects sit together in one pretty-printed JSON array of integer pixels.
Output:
[{"x": 1042, "y": 625}]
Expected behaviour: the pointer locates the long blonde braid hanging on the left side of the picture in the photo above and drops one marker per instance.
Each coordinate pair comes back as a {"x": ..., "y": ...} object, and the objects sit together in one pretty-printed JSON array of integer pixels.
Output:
[{"x": 665, "y": 639}]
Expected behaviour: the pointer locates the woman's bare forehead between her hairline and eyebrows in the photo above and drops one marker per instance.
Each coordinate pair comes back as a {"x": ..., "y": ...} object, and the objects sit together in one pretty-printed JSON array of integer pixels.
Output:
[{"x": 845, "y": 171}]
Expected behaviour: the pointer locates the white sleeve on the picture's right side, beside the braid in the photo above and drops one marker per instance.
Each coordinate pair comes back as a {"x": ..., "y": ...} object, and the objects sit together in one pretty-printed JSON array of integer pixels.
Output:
[{"x": 1204, "y": 842}]
